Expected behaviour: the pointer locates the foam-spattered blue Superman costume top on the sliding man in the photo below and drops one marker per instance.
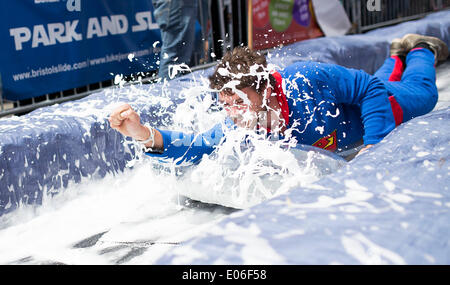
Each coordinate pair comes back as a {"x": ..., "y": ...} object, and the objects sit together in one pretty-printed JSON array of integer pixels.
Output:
[{"x": 330, "y": 107}]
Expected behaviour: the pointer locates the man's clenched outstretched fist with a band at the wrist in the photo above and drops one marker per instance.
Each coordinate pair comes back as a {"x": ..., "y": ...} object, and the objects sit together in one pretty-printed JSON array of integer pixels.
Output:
[{"x": 125, "y": 120}]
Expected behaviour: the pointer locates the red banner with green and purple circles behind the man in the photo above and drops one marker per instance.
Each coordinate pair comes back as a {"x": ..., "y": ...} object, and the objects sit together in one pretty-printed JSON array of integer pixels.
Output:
[{"x": 280, "y": 22}]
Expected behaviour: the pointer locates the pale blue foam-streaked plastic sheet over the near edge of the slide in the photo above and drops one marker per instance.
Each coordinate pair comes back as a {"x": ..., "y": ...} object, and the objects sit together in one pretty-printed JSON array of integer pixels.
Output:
[{"x": 389, "y": 206}]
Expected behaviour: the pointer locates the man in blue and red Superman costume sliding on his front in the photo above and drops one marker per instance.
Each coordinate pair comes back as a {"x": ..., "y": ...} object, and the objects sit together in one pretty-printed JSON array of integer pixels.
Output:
[{"x": 323, "y": 105}]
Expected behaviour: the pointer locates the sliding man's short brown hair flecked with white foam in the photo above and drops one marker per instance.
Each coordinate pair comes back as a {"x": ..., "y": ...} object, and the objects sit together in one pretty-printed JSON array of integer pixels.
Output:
[{"x": 237, "y": 66}]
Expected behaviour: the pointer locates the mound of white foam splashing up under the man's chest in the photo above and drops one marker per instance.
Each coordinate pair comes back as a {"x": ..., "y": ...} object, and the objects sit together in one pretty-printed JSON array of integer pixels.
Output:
[{"x": 242, "y": 177}]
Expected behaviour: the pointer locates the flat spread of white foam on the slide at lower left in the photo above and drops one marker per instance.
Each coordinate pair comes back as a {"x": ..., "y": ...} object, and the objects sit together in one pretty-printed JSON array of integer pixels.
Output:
[{"x": 135, "y": 205}]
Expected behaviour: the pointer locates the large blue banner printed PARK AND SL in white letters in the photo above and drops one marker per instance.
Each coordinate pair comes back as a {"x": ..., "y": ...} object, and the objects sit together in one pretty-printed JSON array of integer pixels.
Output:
[{"x": 53, "y": 45}]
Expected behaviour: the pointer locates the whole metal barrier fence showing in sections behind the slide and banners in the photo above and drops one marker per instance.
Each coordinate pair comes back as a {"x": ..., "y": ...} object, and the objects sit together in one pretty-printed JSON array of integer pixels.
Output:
[{"x": 228, "y": 20}]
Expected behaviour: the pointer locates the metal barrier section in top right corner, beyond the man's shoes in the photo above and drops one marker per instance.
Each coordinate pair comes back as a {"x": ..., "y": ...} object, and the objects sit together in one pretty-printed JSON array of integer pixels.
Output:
[{"x": 372, "y": 14}]
